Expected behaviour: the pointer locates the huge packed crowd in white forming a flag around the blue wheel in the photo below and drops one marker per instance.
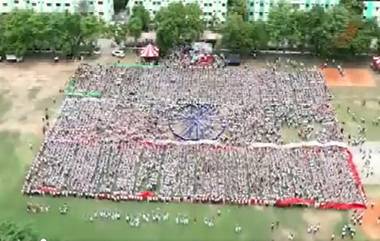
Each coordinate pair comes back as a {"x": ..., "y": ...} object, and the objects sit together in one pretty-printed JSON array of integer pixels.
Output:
[{"x": 108, "y": 145}]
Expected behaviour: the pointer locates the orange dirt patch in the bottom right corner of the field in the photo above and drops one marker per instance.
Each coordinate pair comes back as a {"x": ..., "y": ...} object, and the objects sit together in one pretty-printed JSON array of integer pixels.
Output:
[{"x": 370, "y": 224}]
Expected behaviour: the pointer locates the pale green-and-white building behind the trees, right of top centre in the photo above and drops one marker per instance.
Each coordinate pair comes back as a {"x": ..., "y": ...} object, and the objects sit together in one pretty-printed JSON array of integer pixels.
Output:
[{"x": 259, "y": 9}]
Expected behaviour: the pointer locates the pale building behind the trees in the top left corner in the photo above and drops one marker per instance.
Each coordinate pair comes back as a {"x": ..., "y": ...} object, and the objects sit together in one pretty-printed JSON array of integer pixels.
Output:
[{"x": 100, "y": 8}]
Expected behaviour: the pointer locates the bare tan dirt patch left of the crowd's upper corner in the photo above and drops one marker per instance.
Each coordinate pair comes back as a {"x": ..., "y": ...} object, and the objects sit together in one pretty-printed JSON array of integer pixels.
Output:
[{"x": 28, "y": 88}]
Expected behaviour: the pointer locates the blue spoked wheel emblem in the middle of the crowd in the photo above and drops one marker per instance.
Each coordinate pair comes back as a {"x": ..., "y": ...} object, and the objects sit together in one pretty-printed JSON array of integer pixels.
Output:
[{"x": 196, "y": 122}]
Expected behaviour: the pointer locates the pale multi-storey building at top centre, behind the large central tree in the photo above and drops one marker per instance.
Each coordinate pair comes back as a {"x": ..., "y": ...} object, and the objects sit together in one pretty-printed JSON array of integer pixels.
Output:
[{"x": 212, "y": 9}]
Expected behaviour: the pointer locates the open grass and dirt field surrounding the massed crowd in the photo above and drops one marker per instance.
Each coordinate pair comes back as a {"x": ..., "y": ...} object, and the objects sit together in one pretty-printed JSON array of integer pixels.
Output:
[{"x": 28, "y": 88}]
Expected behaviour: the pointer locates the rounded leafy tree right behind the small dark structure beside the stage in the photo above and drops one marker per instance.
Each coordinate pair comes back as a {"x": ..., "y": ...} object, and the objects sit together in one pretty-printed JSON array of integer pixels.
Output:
[{"x": 237, "y": 34}]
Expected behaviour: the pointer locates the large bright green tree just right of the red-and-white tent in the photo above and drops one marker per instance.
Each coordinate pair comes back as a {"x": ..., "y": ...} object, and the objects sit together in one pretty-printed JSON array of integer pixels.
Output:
[{"x": 178, "y": 23}]
